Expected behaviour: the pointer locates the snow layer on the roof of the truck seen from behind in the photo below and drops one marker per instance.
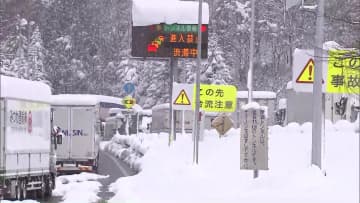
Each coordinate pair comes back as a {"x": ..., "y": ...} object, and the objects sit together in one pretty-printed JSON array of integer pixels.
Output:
[{"x": 83, "y": 99}]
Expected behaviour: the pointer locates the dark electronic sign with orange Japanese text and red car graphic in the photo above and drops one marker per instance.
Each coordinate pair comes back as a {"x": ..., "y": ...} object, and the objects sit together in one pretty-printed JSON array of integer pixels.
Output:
[{"x": 164, "y": 40}]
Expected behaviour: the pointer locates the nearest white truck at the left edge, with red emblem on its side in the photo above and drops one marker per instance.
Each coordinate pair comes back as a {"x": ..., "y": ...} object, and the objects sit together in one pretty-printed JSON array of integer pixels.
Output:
[{"x": 27, "y": 159}]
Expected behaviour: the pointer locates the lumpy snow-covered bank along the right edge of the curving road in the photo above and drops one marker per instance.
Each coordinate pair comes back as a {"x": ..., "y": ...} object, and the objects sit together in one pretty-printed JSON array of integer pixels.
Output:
[{"x": 130, "y": 148}]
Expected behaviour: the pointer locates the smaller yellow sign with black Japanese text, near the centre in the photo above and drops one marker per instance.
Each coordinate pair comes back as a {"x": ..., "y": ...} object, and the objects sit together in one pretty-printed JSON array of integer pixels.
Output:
[{"x": 217, "y": 98}]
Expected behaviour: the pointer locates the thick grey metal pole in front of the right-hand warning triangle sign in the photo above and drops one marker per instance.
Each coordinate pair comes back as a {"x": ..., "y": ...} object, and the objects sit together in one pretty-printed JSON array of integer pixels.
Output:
[{"x": 318, "y": 113}]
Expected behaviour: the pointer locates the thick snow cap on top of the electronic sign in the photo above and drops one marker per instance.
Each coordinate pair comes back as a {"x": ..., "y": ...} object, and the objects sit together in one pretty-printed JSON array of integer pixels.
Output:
[{"x": 146, "y": 12}]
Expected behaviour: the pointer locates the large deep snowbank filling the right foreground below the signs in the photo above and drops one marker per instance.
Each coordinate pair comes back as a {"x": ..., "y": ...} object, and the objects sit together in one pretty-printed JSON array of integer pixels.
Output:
[{"x": 168, "y": 174}]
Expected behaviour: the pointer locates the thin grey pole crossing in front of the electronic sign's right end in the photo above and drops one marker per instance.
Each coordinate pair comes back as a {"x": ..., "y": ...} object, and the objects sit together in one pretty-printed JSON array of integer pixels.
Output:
[{"x": 197, "y": 88}]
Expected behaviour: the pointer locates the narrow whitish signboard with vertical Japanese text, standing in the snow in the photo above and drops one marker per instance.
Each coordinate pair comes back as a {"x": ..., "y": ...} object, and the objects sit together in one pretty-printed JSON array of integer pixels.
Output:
[{"x": 253, "y": 139}]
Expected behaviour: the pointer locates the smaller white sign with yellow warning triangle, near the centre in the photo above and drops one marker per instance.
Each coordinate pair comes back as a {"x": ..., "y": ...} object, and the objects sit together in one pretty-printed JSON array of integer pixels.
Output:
[{"x": 182, "y": 96}]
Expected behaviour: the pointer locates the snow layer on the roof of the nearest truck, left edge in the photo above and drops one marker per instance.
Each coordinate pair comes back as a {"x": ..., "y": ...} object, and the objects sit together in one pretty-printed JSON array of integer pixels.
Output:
[{"x": 24, "y": 89}]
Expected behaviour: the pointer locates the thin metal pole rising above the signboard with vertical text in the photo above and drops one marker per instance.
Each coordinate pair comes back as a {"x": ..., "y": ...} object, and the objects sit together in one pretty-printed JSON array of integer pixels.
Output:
[{"x": 251, "y": 59}]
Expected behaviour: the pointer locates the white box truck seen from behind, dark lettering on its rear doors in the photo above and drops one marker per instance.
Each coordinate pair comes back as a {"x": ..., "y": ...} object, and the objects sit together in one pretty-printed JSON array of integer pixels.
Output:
[{"x": 81, "y": 120}]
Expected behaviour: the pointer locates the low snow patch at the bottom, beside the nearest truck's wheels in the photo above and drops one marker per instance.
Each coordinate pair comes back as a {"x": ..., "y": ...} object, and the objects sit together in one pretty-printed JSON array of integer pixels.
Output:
[{"x": 78, "y": 188}]
